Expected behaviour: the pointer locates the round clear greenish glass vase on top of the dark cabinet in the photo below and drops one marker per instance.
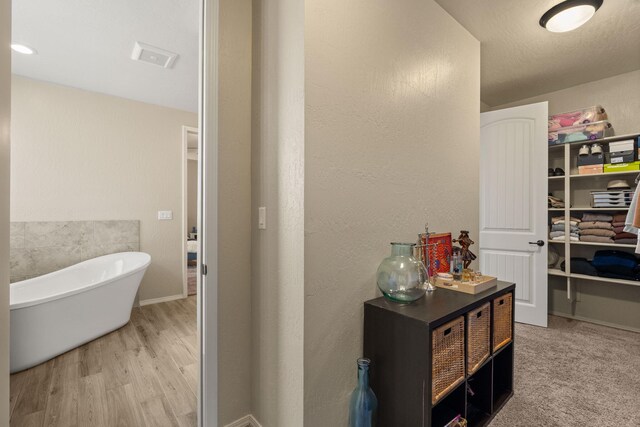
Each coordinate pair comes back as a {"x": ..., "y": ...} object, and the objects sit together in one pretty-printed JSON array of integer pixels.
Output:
[{"x": 401, "y": 277}]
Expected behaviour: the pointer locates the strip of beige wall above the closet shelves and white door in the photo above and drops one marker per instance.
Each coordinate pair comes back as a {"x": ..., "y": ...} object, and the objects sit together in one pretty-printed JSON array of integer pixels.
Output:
[{"x": 619, "y": 95}]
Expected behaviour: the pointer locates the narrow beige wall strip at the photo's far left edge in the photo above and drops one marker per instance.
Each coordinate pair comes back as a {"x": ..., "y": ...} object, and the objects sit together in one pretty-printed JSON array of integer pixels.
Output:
[{"x": 5, "y": 109}]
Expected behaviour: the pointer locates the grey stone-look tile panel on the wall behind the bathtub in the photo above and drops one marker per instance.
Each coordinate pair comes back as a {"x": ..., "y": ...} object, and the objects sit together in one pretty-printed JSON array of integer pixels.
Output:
[{"x": 39, "y": 248}]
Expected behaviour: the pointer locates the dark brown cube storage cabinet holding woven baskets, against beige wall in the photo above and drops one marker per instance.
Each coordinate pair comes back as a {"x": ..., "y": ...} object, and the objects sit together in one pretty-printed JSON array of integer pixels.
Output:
[{"x": 399, "y": 340}]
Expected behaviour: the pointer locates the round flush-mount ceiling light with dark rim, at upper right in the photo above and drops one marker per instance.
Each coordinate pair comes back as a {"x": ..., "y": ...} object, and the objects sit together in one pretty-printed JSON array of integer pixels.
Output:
[{"x": 569, "y": 15}]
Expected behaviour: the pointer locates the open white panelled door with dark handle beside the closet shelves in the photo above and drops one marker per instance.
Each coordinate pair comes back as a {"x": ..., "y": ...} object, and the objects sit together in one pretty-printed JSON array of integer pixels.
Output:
[{"x": 513, "y": 204}]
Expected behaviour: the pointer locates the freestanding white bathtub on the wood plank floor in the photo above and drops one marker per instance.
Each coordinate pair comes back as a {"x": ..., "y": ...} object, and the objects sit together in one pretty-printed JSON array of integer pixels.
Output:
[{"x": 59, "y": 311}]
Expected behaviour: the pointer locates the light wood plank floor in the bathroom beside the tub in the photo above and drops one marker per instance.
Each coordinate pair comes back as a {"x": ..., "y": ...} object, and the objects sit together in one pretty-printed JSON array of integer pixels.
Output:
[{"x": 143, "y": 374}]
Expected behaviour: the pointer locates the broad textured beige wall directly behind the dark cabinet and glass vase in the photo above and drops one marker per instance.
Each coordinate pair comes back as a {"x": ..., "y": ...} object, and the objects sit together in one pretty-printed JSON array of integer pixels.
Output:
[{"x": 392, "y": 93}]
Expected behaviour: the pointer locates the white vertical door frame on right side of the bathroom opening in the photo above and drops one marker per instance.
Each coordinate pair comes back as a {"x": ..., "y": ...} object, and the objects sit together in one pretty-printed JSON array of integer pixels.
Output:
[{"x": 208, "y": 215}]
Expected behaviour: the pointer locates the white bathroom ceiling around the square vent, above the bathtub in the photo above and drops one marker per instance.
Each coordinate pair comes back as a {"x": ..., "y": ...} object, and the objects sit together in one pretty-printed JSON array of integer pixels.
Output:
[{"x": 88, "y": 44}]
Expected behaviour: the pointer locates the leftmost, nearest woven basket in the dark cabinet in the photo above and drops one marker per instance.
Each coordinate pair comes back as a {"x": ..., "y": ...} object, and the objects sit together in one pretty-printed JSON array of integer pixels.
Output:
[{"x": 447, "y": 366}]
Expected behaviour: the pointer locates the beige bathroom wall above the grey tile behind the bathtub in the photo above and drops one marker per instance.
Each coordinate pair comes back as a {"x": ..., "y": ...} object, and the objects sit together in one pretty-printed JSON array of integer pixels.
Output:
[{"x": 80, "y": 155}]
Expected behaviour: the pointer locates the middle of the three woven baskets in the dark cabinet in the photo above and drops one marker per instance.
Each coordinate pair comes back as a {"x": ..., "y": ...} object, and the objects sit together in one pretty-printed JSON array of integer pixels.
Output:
[{"x": 478, "y": 337}]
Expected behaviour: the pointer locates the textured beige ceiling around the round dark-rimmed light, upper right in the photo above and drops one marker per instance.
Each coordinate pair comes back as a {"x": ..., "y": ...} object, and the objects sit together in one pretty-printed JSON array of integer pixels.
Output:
[{"x": 520, "y": 59}]
